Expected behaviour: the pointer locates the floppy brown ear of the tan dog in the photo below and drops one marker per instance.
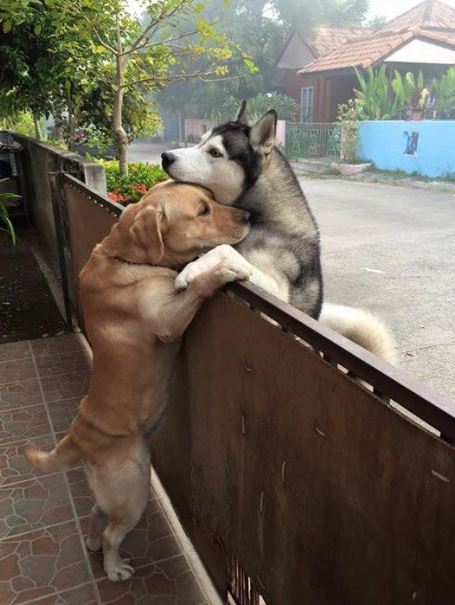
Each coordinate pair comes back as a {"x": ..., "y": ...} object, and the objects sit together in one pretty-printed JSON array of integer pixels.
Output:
[{"x": 146, "y": 232}]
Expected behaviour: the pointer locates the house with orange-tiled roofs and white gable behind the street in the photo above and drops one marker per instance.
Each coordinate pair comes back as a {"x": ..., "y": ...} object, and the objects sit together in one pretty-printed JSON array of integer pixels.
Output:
[{"x": 423, "y": 38}]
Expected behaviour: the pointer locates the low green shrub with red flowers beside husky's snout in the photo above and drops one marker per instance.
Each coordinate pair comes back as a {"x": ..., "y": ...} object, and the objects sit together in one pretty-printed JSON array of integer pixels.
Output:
[{"x": 131, "y": 188}]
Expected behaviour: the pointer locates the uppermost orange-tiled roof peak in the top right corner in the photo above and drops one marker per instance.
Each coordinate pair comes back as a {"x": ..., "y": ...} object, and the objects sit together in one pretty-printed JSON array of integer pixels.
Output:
[{"x": 430, "y": 14}]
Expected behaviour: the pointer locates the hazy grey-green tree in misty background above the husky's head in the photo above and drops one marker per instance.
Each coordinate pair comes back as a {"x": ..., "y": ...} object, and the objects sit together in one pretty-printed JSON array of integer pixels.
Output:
[{"x": 260, "y": 28}]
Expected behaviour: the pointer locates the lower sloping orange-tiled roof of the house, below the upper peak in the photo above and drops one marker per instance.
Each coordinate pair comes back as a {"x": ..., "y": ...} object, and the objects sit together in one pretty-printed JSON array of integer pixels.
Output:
[{"x": 368, "y": 51}]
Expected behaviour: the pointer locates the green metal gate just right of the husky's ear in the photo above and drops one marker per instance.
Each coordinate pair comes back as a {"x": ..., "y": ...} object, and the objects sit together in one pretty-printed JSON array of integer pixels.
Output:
[{"x": 312, "y": 141}]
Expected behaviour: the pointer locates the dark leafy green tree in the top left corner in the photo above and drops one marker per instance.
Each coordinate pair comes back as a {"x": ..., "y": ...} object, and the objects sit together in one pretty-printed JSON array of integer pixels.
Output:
[{"x": 46, "y": 73}]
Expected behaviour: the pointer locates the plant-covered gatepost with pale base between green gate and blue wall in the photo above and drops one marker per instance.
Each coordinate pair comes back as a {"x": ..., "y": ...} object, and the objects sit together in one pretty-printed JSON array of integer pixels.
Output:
[{"x": 348, "y": 116}]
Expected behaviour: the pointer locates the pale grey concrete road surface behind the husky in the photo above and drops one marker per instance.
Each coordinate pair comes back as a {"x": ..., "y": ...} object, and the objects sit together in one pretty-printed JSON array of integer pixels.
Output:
[{"x": 392, "y": 250}]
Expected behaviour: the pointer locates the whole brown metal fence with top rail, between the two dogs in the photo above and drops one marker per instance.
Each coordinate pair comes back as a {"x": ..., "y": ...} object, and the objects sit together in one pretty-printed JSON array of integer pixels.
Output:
[{"x": 297, "y": 484}]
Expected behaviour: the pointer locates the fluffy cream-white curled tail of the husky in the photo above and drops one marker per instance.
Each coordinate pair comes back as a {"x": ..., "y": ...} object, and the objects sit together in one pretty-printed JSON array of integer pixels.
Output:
[{"x": 362, "y": 327}]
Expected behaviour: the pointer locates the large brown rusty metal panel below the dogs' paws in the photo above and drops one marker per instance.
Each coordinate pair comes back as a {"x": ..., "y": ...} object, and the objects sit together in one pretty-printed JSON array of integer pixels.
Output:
[{"x": 324, "y": 494}]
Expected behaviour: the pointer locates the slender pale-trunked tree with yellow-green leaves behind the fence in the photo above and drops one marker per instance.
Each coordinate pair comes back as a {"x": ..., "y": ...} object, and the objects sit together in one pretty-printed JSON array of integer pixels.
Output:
[{"x": 139, "y": 56}]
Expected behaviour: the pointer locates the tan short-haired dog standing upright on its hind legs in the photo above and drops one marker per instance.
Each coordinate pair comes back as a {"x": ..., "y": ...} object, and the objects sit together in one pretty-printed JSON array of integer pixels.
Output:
[{"x": 134, "y": 319}]
